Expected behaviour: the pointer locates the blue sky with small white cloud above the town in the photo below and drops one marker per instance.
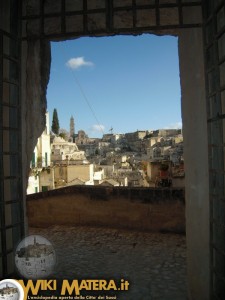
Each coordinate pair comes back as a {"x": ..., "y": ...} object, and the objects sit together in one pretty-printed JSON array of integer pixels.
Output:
[{"x": 125, "y": 82}]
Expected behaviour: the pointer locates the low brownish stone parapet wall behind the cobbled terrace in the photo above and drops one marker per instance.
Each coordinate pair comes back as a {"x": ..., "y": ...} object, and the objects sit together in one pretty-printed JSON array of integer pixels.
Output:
[{"x": 141, "y": 209}]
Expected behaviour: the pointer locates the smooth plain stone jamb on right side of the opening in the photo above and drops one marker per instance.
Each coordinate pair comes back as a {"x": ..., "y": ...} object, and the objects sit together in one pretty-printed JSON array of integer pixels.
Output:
[{"x": 196, "y": 161}]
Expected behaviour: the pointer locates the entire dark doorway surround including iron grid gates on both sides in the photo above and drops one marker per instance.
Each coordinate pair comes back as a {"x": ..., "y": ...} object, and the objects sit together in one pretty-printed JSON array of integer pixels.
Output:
[{"x": 27, "y": 27}]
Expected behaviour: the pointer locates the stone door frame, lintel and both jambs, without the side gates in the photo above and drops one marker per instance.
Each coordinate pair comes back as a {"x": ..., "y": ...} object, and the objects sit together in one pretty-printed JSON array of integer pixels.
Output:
[{"x": 43, "y": 21}]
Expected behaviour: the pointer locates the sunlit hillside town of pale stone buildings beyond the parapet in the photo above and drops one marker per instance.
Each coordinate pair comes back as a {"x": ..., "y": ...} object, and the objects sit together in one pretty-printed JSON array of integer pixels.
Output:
[{"x": 144, "y": 158}]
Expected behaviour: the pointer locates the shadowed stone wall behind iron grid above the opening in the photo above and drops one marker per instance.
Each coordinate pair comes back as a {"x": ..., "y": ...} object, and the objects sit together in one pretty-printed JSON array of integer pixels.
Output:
[{"x": 98, "y": 17}]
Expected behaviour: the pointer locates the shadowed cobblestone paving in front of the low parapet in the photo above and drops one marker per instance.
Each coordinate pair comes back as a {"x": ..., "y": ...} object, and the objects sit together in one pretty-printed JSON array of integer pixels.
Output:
[{"x": 153, "y": 263}]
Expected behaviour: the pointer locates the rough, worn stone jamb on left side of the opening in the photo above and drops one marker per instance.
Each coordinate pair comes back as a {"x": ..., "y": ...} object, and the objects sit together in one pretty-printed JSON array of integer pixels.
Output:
[{"x": 37, "y": 77}]
